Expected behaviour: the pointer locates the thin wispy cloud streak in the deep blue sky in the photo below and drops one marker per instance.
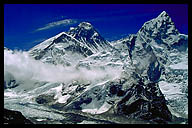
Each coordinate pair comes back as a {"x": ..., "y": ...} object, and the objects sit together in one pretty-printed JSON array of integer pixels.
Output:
[{"x": 57, "y": 23}]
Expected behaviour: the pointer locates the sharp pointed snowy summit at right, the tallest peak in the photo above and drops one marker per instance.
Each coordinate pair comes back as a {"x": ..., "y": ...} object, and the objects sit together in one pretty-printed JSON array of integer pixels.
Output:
[{"x": 161, "y": 29}]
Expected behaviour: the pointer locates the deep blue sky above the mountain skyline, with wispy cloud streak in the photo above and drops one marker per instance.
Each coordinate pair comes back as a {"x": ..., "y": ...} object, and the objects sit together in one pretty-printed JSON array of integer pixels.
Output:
[{"x": 26, "y": 25}]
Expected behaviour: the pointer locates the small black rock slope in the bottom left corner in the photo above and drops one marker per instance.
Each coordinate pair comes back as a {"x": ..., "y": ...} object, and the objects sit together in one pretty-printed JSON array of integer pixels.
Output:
[{"x": 14, "y": 117}]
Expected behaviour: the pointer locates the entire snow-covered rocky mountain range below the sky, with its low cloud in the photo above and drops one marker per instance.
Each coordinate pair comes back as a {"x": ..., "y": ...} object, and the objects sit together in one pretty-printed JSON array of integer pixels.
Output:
[{"x": 142, "y": 78}]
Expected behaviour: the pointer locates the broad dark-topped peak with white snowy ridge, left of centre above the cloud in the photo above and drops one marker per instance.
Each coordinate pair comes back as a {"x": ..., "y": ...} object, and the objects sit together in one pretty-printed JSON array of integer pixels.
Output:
[{"x": 66, "y": 48}]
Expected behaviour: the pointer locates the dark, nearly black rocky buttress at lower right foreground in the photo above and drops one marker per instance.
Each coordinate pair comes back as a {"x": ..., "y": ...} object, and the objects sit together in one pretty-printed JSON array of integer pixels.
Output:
[{"x": 145, "y": 102}]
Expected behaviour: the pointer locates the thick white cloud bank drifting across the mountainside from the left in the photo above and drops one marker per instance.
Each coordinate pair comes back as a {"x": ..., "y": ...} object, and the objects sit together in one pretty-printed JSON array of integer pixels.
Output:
[{"x": 25, "y": 68}]
